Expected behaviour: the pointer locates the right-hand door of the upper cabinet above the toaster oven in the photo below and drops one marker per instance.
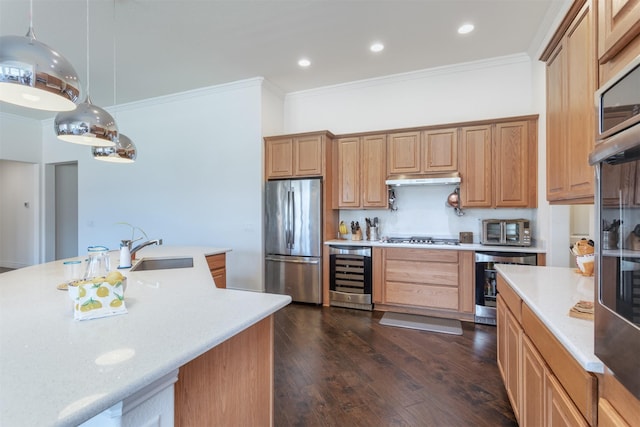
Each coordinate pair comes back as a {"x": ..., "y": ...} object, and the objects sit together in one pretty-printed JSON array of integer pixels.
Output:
[{"x": 512, "y": 165}]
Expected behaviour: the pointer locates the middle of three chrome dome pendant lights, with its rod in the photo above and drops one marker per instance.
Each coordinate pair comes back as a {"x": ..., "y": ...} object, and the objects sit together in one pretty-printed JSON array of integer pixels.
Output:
[{"x": 88, "y": 124}]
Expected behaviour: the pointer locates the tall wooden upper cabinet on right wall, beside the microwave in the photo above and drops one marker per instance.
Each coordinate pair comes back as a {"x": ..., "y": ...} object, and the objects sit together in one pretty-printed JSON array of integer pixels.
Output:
[{"x": 571, "y": 83}]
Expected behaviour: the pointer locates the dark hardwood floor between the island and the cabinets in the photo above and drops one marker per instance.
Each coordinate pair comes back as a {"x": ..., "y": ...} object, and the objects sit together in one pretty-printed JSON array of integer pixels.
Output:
[{"x": 340, "y": 367}]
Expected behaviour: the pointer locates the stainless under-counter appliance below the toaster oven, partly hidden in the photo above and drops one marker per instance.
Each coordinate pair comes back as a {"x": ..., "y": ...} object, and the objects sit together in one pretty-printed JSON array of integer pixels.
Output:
[{"x": 486, "y": 280}]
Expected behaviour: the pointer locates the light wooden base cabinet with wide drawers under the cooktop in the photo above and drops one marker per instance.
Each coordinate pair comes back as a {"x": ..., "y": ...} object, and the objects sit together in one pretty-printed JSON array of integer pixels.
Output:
[{"x": 426, "y": 279}]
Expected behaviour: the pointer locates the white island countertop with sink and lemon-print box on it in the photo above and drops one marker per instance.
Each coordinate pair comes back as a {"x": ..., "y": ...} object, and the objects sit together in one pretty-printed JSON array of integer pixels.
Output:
[{"x": 57, "y": 371}]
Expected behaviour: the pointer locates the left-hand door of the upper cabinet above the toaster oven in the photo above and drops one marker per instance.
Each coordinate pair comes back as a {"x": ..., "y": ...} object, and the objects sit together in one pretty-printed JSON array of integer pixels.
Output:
[{"x": 475, "y": 168}]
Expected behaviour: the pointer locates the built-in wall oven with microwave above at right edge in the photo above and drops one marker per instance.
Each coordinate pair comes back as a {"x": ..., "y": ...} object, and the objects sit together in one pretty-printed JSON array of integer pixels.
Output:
[{"x": 617, "y": 162}]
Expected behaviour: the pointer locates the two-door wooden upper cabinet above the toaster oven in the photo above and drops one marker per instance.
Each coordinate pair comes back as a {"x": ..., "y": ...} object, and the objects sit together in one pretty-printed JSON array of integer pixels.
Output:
[{"x": 498, "y": 165}]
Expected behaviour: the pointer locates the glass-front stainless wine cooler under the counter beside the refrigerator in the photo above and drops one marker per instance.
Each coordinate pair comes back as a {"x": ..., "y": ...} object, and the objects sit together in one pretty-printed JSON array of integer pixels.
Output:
[{"x": 350, "y": 281}]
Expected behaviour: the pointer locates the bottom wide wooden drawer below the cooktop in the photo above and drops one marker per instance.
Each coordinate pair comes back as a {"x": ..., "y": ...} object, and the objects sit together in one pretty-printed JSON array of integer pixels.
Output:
[{"x": 430, "y": 296}]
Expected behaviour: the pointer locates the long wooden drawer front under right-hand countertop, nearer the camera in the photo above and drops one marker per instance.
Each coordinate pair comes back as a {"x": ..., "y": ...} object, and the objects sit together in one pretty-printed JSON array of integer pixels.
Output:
[{"x": 580, "y": 385}]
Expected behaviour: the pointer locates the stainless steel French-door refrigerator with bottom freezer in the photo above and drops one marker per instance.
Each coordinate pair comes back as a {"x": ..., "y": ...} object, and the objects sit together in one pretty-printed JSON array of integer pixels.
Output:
[{"x": 293, "y": 239}]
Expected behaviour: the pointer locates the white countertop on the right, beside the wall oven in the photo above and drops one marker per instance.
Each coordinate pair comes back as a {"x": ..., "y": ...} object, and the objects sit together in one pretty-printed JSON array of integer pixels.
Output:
[{"x": 550, "y": 292}]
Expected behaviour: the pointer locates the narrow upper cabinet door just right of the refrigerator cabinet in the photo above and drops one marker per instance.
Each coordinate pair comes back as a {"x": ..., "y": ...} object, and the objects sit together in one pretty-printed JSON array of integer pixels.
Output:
[{"x": 349, "y": 173}]
